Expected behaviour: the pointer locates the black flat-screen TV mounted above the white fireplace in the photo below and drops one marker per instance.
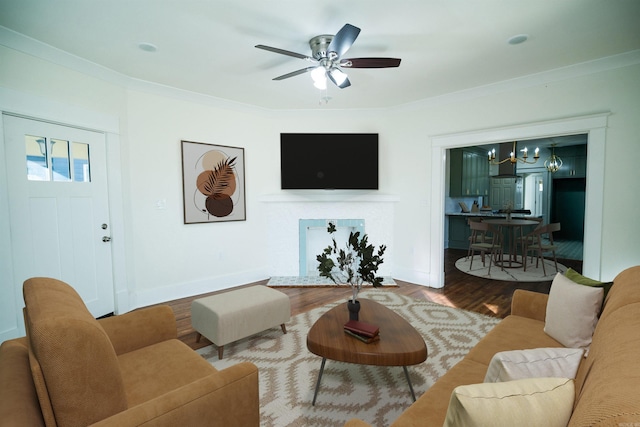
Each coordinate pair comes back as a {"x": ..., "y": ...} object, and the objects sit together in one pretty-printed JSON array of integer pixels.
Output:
[{"x": 337, "y": 161}]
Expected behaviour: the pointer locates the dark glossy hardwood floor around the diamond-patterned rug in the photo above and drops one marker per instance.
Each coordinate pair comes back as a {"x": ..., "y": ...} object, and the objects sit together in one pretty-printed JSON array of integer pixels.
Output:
[{"x": 490, "y": 297}]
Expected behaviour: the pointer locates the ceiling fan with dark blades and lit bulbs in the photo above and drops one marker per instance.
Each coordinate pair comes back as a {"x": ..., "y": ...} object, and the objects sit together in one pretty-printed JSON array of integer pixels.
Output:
[{"x": 326, "y": 55}]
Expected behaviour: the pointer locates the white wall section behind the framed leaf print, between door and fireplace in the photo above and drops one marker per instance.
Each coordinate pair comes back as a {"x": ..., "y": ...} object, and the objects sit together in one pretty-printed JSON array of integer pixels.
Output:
[{"x": 168, "y": 254}]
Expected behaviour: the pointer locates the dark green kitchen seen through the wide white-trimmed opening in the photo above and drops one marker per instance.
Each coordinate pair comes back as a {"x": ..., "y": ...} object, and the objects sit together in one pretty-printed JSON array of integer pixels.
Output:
[{"x": 528, "y": 188}]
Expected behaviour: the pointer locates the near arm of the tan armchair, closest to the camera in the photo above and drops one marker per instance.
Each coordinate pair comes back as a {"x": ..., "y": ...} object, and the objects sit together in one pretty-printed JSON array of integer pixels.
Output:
[{"x": 227, "y": 398}]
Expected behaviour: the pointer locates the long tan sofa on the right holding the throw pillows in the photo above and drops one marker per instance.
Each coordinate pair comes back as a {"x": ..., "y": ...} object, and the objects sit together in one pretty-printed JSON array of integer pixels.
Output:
[{"x": 607, "y": 383}]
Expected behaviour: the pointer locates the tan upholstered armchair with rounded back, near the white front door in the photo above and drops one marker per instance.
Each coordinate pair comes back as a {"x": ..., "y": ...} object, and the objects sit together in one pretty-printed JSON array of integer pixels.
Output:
[{"x": 127, "y": 370}]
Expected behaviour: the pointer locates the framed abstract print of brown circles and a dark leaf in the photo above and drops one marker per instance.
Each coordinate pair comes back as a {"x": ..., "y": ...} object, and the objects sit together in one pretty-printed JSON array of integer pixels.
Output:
[{"x": 213, "y": 183}]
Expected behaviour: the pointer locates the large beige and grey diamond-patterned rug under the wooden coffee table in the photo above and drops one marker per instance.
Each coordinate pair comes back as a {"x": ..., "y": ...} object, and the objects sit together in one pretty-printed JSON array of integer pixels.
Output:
[{"x": 378, "y": 395}]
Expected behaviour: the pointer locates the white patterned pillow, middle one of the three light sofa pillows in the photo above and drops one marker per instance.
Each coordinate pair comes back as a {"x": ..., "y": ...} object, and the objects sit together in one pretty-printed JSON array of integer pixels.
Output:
[{"x": 534, "y": 363}]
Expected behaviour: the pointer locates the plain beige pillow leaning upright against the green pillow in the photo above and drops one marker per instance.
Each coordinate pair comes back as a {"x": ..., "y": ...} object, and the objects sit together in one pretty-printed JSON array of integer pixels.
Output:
[{"x": 572, "y": 312}]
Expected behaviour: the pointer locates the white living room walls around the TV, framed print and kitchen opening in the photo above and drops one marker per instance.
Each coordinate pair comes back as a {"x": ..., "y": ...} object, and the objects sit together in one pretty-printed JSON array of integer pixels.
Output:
[{"x": 166, "y": 259}]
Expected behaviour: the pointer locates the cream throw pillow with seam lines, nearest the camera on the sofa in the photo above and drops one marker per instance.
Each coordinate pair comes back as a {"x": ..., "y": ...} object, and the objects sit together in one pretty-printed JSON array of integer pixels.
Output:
[{"x": 533, "y": 402}]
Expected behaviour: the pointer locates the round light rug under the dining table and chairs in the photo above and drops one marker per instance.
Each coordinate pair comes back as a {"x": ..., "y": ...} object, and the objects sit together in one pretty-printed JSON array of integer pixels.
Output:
[{"x": 533, "y": 273}]
